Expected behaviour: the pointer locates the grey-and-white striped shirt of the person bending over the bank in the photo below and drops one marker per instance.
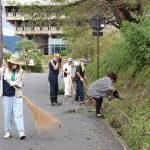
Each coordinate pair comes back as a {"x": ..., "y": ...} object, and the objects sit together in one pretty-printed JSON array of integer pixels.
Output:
[{"x": 100, "y": 87}]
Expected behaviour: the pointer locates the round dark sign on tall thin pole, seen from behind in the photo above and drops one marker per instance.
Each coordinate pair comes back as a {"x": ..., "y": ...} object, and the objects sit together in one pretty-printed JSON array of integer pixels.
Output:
[{"x": 97, "y": 24}]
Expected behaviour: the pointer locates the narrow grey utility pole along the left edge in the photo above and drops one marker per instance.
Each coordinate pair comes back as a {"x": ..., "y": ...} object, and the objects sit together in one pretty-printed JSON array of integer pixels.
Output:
[{"x": 1, "y": 35}]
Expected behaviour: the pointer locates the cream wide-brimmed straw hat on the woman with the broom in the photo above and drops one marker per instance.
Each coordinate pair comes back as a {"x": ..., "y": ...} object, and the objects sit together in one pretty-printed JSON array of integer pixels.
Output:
[{"x": 15, "y": 59}]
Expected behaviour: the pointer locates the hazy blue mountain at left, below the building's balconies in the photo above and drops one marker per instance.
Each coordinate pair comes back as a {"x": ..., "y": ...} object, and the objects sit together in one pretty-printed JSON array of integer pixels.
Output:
[{"x": 10, "y": 41}]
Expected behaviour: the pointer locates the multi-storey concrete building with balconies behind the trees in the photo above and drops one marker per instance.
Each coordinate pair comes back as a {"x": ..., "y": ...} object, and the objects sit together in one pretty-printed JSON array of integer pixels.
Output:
[{"x": 48, "y": 38}]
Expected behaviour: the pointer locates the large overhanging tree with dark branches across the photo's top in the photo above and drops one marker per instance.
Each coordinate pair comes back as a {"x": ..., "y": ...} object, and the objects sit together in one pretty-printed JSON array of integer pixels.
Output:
[{"x": 75, "y": 16}]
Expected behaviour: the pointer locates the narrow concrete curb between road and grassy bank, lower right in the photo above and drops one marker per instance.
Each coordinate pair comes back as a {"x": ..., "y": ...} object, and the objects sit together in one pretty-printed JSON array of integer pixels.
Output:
[{"x": 116, "y": 135}]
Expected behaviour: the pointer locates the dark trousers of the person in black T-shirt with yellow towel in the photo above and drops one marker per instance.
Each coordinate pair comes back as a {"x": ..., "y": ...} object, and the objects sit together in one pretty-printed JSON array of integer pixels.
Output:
[{"x": 79, "y": 90}]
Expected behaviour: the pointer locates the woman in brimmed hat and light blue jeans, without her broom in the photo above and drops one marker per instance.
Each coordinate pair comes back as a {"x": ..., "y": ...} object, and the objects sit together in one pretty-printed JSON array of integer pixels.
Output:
[{"x": 12, "y": 75}]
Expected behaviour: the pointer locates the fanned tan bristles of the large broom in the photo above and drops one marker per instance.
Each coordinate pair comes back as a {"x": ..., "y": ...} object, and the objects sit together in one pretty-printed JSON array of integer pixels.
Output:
[{"x": 44, "y": 121}]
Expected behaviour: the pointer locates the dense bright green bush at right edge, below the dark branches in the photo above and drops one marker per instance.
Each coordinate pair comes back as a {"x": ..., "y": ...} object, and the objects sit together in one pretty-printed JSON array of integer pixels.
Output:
[{"x": 137, "y": 38}]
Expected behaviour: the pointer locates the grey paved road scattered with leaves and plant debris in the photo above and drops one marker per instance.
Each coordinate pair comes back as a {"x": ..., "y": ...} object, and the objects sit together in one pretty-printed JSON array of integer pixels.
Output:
[{"x": 79, "y": 131}]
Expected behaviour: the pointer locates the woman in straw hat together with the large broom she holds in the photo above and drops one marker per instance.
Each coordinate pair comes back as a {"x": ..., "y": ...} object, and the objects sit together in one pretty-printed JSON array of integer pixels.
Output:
[{"x": 12, "y": 78}]
